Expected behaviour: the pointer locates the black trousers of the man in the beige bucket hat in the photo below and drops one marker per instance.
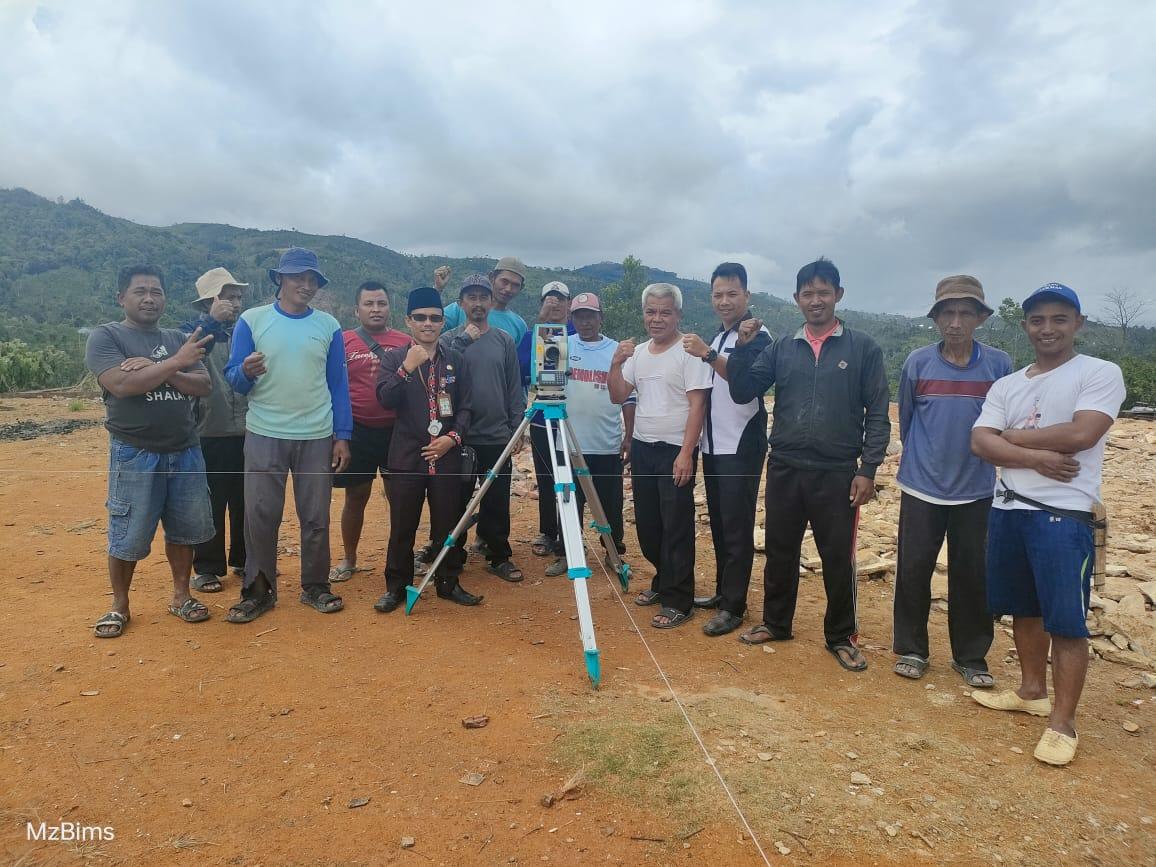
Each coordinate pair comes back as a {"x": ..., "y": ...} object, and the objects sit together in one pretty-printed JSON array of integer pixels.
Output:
[{"x": 225, "y": 468}]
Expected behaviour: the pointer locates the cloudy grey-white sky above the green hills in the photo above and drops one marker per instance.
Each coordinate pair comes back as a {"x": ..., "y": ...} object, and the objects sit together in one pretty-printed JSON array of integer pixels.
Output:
[{"x": 905, "y": 140}]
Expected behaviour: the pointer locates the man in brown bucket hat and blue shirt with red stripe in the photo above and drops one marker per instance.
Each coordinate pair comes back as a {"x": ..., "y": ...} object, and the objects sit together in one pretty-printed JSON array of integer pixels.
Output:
[{"x": 947, "y": 491}]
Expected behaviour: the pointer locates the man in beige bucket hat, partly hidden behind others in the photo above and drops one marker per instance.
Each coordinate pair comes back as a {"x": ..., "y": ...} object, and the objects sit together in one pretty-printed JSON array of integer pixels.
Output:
[{"x": 221, "y": 427}]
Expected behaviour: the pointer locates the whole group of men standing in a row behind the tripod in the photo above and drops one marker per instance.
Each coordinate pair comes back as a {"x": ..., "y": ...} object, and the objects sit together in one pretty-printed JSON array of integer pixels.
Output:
[{"x": 214, "y": 420}]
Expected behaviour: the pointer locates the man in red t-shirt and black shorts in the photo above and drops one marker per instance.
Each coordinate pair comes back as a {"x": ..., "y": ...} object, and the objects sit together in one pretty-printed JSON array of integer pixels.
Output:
[{"x": 369, "y": 449}]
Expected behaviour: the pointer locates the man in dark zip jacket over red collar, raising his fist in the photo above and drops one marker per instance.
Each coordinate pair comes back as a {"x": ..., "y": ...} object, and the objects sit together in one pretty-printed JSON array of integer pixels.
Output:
[{"x": 829, "y": 436}]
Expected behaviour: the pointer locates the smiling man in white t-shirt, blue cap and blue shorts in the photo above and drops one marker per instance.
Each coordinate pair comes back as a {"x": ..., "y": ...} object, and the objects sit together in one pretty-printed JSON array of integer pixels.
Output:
[{"x": 1046, "y": 427}]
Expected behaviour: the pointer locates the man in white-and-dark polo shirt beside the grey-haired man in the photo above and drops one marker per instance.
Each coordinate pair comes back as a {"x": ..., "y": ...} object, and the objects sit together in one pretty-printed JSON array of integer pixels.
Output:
[{"x": 735, "y": 448}]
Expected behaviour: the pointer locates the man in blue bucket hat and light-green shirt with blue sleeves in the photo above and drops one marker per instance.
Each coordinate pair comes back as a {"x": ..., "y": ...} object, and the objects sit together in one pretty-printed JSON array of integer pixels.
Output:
[{"x": 290, "y": 359}]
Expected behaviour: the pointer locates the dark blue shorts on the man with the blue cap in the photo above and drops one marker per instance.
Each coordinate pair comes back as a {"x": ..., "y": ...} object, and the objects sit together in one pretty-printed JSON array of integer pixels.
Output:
[{"x": 1040, "y": 566}]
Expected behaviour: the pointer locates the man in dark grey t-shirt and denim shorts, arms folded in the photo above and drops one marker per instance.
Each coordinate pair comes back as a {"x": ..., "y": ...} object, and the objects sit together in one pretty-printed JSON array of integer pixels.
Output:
[{"x": 157, "y": 475}]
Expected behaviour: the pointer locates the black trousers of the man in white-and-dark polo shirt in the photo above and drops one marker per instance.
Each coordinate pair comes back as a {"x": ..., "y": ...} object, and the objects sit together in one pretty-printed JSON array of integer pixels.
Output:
[{"x": 732, "y": 494}]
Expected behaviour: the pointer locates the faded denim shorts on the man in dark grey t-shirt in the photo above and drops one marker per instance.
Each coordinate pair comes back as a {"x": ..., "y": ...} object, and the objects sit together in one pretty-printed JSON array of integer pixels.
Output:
[{"x": 146, "y": 490}]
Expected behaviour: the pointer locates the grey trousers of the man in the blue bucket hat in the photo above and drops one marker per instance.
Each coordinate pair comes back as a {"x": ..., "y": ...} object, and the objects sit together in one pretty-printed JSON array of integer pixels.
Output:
[{"x": 269, "y": 464}]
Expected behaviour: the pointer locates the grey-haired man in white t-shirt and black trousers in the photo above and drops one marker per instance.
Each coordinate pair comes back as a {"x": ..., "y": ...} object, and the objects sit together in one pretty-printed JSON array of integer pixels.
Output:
[{"x": 672, "y": 388}]
